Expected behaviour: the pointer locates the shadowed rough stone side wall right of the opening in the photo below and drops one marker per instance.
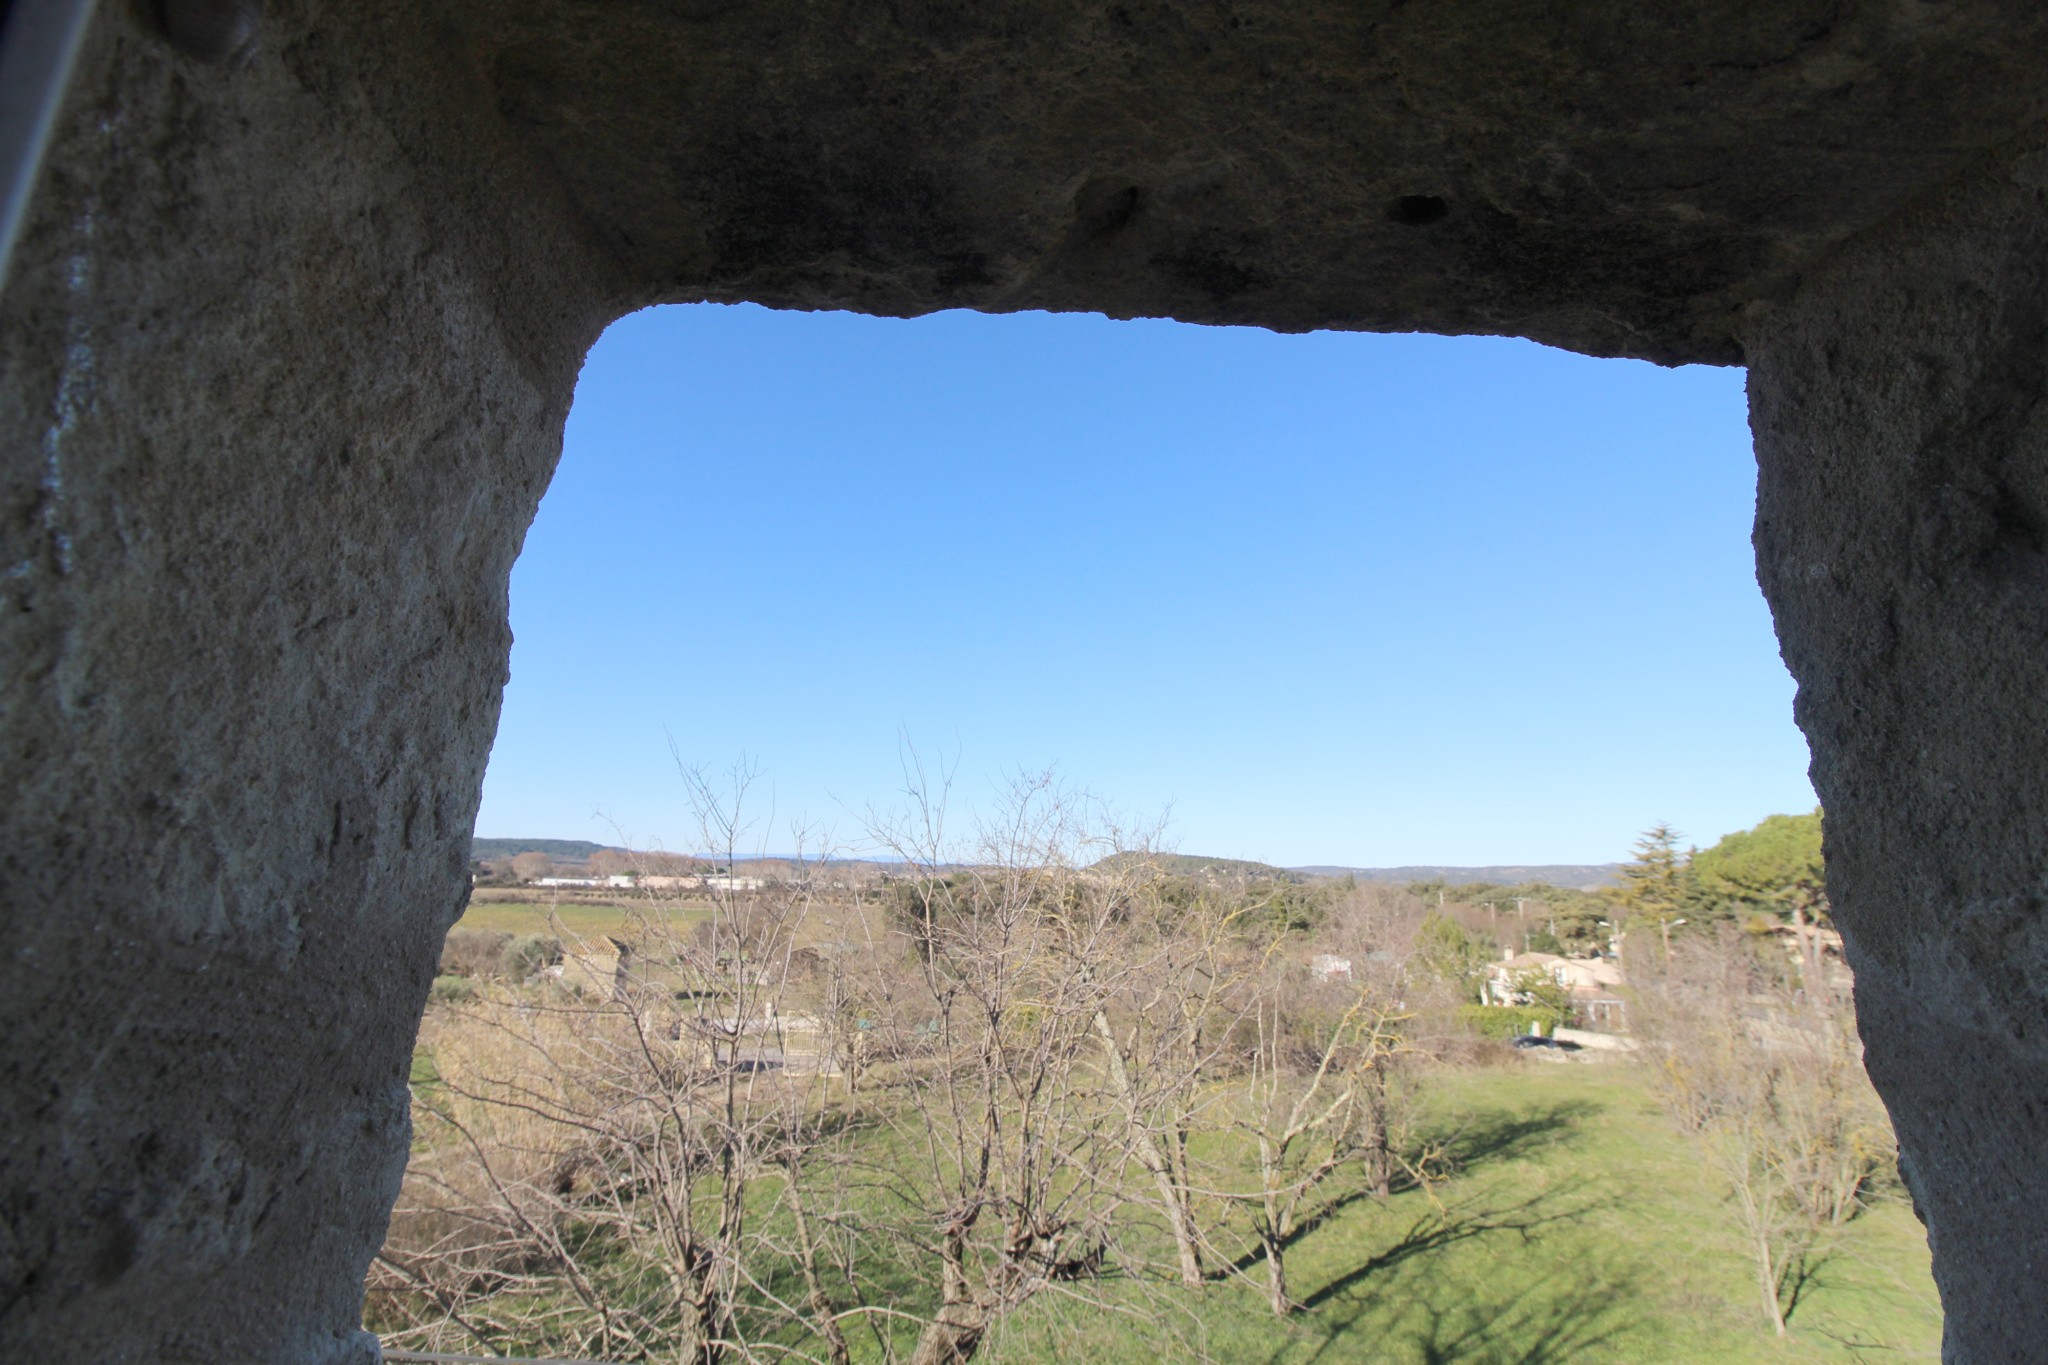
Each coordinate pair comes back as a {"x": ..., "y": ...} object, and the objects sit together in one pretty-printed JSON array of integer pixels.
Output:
[{"x": 1904, "y": 543}]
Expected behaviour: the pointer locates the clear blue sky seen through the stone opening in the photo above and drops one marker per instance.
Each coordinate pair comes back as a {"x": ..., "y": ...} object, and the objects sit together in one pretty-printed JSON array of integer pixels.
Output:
[{"x": 1328, "y": 599}]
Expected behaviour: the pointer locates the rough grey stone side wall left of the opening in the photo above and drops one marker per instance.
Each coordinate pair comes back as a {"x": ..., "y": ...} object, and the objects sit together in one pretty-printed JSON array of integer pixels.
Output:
[{"x": 278, "y": 400}]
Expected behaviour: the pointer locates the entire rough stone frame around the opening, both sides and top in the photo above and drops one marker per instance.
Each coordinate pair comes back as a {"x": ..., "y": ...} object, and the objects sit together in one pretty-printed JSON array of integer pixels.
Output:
[{"x": 292, "y": 337}]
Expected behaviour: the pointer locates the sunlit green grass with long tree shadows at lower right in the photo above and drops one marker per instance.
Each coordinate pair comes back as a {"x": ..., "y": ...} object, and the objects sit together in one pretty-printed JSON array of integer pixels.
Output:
[{"x": 1582, "y": 1229}]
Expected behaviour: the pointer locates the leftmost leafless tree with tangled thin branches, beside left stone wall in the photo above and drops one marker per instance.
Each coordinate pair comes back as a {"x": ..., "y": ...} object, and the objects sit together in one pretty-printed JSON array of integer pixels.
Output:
[{"x": 615, "y": 1153}]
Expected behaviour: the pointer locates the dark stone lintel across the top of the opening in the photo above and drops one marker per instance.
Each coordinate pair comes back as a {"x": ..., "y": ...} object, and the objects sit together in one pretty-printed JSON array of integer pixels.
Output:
[{"x": 1619, "y": 179}]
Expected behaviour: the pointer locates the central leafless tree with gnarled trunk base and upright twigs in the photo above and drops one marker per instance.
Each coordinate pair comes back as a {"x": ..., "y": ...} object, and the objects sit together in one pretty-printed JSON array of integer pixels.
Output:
[{"x": 1017, "y": 1174}]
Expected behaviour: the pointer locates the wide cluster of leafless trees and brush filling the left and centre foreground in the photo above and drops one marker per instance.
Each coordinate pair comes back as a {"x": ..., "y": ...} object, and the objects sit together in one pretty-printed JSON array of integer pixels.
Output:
[{"x": 1023, "y": 1075}]
